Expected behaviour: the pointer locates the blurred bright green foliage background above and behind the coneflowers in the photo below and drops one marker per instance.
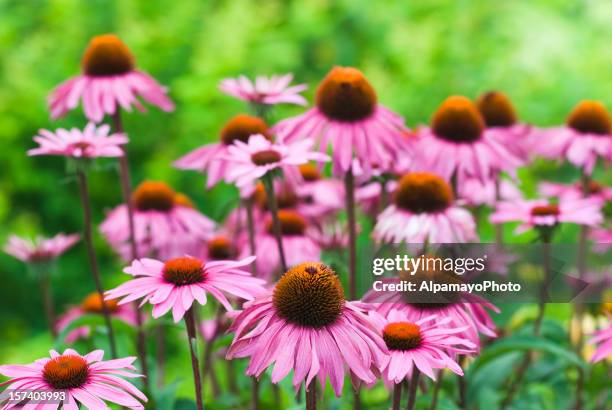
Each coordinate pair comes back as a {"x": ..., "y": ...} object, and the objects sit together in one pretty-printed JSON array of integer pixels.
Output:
[{"x": 546, "y": 55}]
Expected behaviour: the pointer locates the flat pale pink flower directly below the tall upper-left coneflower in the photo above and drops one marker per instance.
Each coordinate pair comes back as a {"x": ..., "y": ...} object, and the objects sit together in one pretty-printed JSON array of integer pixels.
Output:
[{"x": 92, "y": 142}]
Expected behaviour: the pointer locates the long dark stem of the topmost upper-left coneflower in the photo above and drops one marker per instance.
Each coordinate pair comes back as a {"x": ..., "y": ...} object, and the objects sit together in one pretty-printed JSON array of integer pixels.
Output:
[{"x": 126, "y": 190}]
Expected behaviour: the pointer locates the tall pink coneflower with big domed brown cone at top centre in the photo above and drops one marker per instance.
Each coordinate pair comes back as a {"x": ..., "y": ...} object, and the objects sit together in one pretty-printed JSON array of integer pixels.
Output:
[{"x": 347, "y": 116}]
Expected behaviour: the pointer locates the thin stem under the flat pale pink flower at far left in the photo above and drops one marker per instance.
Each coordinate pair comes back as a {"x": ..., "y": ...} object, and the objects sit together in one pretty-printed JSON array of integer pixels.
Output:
[{"x": 91, "y": 253}]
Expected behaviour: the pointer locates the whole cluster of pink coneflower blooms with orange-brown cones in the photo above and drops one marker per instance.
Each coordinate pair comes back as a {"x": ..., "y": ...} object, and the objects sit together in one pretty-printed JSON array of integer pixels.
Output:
[{"x": 415, "y": 184}]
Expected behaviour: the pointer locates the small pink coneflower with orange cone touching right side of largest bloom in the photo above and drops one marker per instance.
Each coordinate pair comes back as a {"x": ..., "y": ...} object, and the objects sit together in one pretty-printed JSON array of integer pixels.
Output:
[{"x": 426, "y": 344}]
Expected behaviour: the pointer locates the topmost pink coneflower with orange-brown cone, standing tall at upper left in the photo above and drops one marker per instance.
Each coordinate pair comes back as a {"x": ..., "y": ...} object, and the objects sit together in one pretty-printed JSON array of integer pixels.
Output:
[{"x": 109, "y": 80}]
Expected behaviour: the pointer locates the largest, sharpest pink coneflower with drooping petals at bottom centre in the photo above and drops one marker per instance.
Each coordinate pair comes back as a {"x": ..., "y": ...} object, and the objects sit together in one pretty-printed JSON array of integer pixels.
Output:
[{"x": 306, "y": 325}]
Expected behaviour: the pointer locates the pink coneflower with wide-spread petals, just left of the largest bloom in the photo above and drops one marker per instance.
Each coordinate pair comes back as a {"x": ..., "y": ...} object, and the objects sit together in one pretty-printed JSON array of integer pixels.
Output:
[{"x": 177, "y": 283}]
